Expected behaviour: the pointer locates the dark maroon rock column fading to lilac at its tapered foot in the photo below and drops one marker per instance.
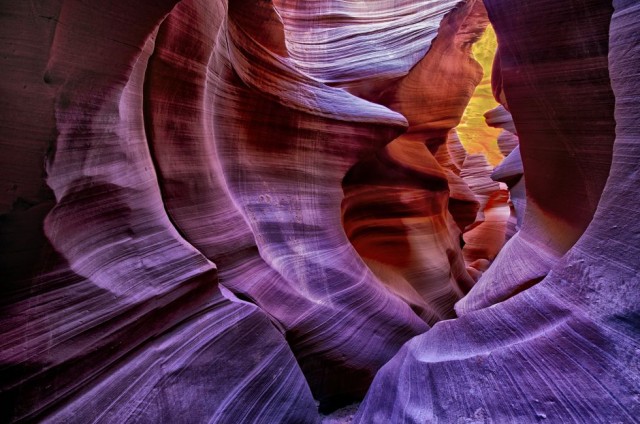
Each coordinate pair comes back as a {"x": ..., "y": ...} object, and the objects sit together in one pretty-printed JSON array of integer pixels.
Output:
[{"x": 573, "y": 70}]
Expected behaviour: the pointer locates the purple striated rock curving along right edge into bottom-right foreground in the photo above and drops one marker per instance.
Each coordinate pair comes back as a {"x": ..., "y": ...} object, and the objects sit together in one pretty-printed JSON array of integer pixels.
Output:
[{"x": 564, "y": 349}]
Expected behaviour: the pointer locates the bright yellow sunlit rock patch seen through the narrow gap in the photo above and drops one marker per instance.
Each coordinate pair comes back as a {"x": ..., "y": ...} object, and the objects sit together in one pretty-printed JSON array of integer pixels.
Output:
[{"x": 476, "y": 136}]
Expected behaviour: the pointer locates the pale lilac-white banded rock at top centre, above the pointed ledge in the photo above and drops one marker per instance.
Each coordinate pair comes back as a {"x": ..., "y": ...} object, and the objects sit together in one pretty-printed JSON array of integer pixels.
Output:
[{"x": 360, "y": 46}]
